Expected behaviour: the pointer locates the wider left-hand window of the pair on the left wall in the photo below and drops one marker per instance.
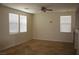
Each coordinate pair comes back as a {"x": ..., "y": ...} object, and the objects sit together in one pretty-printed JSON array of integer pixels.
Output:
[{"x": 13, "y": 23}]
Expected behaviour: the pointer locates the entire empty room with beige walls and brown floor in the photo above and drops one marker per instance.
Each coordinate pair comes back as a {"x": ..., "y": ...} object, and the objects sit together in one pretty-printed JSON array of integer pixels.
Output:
[{"x": 39, "y": 29}]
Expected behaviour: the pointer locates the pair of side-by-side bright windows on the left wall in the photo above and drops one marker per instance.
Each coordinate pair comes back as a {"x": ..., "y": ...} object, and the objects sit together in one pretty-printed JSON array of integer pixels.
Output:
[{"x": 17, "y": 23}]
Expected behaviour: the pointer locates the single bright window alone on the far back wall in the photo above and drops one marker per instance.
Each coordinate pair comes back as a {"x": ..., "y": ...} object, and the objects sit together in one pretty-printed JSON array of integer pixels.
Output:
[{"x": 65, "y": 23}]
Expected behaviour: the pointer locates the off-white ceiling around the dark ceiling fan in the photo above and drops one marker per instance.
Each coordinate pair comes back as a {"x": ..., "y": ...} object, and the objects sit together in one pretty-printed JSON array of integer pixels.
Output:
[{"x": 36, "y": 7}]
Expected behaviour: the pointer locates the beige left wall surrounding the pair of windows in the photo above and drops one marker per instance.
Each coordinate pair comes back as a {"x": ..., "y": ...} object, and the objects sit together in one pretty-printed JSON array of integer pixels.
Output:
[{"x": 7, "y": 40}]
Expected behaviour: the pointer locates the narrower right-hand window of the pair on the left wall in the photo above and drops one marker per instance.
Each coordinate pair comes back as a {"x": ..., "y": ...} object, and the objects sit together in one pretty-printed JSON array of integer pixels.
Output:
[{"x": 23, "y": 24}]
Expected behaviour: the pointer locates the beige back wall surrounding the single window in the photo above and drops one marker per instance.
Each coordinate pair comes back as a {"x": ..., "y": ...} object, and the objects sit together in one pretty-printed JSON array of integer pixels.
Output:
[{"x": 44, "y": 30}]
